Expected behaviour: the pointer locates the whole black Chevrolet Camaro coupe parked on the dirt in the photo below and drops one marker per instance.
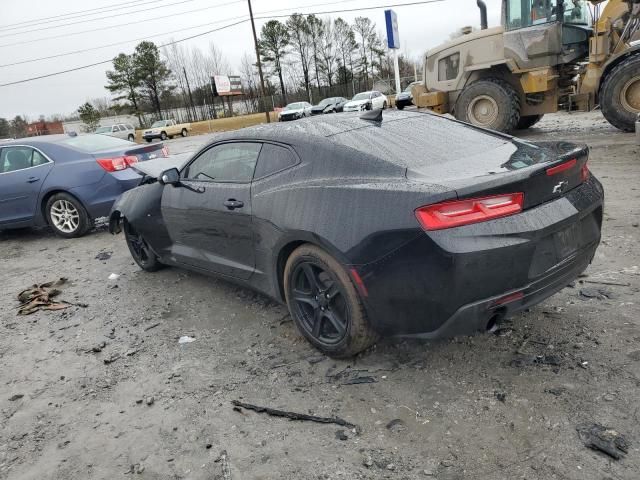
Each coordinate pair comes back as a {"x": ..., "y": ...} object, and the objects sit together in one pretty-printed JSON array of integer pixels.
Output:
[{"x": 411, "y": 224}]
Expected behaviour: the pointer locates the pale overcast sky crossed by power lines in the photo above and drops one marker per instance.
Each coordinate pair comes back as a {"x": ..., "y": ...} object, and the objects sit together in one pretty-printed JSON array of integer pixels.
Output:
[{"x": 421, "y": 27}]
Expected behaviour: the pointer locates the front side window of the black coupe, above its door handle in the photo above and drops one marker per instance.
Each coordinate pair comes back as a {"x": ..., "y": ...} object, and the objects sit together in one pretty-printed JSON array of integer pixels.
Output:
[{"x": 228, "y": 162}]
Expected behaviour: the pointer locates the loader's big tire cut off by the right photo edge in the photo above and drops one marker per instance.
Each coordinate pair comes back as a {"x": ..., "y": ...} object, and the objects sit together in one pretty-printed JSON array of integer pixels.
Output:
[{"x": 620, "y": 94}]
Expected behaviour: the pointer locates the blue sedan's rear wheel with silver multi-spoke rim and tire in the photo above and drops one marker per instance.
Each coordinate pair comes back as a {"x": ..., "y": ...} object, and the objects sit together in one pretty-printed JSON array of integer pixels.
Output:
[{"x": 67, "y": 216}]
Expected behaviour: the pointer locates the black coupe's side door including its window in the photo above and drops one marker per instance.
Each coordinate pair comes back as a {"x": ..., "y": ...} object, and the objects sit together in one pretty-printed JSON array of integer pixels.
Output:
[{"x": 208, "y": 216}]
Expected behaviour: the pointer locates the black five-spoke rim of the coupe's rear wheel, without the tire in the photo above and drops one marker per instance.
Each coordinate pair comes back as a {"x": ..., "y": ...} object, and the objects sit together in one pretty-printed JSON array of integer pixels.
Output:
[{"x": 319, "y": 303}]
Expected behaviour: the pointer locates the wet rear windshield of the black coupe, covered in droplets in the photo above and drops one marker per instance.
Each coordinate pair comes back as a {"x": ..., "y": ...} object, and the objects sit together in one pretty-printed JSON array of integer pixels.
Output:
[{"x": 420, "y": 140}]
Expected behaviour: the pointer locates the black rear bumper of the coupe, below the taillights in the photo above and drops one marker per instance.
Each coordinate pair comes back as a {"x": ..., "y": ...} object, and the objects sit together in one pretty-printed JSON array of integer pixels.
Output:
[{"x": 446, "y": 283}]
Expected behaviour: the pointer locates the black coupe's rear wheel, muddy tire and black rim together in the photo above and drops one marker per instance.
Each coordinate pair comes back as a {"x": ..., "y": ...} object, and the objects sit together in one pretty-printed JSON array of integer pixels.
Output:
[{"x": 324, "y": 303}]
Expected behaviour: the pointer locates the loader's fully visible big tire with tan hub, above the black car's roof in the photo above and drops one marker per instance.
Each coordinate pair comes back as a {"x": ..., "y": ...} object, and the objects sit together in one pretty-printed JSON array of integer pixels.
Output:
[{"x": 490, "y": 103}]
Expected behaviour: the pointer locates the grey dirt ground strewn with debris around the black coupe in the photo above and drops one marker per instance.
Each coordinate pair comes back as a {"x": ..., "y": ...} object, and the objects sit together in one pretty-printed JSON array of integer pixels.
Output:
[{"x": 493, "y": 406}]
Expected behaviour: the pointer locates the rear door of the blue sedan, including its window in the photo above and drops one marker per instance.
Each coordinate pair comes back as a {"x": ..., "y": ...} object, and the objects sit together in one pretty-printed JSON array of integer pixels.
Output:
[{"x": 23, "y": 170}]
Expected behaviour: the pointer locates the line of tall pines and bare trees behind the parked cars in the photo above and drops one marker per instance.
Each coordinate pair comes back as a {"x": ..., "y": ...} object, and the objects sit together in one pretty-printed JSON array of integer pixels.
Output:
[{"x": 304, "y": 58}]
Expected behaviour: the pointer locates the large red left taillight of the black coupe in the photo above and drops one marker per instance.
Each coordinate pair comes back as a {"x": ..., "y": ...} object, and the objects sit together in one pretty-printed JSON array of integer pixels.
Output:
[{"x": 464, "y": 212}]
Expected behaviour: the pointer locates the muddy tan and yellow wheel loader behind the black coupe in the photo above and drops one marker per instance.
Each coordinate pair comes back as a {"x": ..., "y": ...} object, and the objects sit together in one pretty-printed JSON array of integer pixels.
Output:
[{"x": 547, "y": 55}]
